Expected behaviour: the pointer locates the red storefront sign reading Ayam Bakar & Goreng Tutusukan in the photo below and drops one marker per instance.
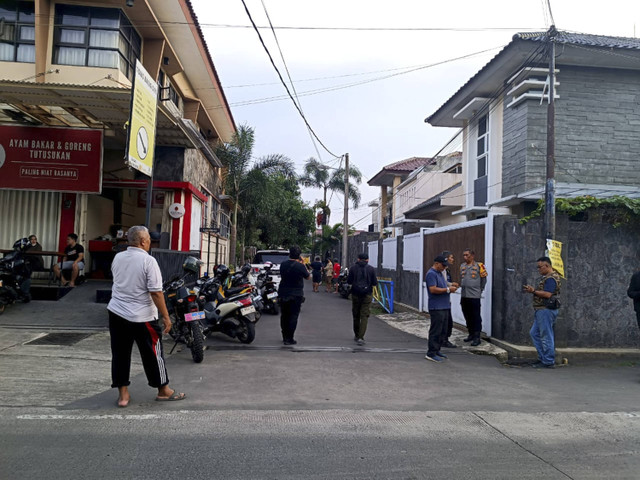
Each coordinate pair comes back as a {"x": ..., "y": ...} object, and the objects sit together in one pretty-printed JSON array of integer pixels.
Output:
[{"x": 54, "y": 159}]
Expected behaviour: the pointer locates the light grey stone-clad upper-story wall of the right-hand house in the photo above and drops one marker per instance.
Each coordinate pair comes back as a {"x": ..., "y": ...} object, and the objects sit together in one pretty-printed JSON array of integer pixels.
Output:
[{"x": 597, "y": 132}]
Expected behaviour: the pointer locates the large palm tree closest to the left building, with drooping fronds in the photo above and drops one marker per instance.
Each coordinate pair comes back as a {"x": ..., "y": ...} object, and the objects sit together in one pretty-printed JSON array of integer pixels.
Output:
[{"x": 236, "y": 158}]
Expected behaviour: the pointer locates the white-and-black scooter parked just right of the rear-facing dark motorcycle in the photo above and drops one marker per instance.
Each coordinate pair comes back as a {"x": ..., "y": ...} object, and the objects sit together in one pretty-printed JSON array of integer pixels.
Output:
[{"x": 228, "y": 310}]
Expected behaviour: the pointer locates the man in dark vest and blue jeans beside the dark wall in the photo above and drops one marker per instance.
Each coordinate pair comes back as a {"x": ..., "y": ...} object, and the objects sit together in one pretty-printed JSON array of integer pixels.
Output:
[{"x": 545, "y": 305}]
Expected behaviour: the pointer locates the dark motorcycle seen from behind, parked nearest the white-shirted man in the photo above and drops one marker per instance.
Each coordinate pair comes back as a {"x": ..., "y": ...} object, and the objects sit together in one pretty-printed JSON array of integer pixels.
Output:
[{"x": 184, "y": 311}]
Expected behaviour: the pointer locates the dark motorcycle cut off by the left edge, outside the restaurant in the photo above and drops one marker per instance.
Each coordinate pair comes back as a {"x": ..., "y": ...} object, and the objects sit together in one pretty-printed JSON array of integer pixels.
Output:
[{"x": 15, "y": 276}]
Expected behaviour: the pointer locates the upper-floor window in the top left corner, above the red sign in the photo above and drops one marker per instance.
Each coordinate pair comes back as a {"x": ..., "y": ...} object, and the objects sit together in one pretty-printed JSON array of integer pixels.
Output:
[{"x": 17, "y": 32}]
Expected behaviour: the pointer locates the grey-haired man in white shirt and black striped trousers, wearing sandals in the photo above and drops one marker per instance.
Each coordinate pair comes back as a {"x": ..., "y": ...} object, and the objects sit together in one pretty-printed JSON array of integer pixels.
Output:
[{"x": 136, "y": 299}]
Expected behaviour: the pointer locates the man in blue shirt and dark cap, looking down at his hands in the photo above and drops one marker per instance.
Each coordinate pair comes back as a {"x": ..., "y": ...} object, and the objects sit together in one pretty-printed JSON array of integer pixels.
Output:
[{"x": 439, "y": 308}]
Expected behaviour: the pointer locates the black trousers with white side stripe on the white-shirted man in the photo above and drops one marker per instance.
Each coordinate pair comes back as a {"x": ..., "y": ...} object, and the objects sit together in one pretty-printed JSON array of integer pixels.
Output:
[{"x": 148, "y": 337}]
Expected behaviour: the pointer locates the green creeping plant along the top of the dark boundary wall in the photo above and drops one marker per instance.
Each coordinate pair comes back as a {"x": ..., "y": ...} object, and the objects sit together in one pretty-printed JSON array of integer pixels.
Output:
[{"x": 618, "y": 210}]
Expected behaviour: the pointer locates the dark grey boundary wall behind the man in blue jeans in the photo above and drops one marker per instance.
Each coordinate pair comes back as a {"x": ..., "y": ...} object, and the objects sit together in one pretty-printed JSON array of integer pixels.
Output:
[{"x": 599, "y": 261}]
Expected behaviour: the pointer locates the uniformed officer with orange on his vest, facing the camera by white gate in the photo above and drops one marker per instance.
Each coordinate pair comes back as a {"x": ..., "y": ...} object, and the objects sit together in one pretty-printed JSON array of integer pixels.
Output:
[{"x": 473, "y": 277}]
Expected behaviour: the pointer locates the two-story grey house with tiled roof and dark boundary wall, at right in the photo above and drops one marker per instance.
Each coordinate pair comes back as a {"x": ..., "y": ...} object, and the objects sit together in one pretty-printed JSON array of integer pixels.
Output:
[{"x": 502, "y": 111}]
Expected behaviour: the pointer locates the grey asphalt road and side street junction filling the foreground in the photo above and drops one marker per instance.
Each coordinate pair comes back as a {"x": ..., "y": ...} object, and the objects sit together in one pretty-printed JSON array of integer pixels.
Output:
[{"x": 325, "y": 408}]
